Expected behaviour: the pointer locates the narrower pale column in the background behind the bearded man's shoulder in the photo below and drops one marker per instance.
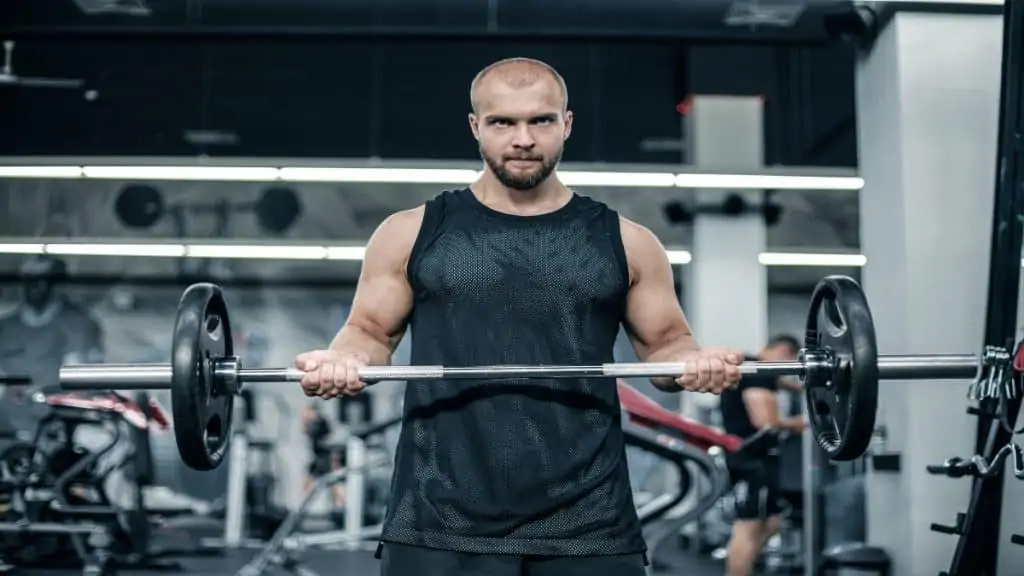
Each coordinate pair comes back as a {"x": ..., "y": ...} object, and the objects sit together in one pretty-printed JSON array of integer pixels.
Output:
[{"x": 727, "y": 293}]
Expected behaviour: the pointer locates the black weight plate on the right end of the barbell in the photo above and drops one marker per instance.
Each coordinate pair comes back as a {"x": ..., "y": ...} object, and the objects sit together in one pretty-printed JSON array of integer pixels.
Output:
[{"x": 842, "y": 403}]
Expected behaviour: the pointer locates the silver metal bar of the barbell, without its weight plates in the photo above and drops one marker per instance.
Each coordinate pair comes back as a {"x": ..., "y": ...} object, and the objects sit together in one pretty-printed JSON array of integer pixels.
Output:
[{"x": 158, "y": 377}]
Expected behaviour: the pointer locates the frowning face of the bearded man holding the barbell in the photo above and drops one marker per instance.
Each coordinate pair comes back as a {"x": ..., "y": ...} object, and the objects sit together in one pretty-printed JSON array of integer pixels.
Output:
[{"x": 522, "y": 132}]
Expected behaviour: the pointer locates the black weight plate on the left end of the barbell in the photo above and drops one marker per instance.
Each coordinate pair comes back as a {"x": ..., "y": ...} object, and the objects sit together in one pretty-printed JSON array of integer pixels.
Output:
[{"x": 202, "y": 413}]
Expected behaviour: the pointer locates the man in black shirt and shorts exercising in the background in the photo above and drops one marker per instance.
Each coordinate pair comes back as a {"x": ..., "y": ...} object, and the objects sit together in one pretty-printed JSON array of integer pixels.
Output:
[{"x": 748, "y": 409}]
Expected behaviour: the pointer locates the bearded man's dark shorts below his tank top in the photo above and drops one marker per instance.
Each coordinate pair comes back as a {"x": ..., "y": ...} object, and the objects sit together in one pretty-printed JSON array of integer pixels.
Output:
[{"x": 398, "y": 560}]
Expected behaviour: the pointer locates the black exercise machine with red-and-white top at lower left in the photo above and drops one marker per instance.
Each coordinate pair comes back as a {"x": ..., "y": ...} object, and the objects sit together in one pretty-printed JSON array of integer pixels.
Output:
[{"x": 58, "y": 488}]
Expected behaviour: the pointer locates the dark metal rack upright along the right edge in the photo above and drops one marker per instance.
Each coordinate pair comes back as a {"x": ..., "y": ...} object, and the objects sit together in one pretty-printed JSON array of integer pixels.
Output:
[{"x": 977, "y": 551}]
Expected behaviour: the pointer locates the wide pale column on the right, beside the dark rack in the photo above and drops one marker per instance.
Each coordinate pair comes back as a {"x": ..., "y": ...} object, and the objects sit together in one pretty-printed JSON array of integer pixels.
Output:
[{"x": 927, "y": 112}]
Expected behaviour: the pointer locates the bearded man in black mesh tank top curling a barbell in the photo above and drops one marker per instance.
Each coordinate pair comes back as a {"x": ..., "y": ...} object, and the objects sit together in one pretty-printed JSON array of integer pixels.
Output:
[{"x": 514, "y": 477}]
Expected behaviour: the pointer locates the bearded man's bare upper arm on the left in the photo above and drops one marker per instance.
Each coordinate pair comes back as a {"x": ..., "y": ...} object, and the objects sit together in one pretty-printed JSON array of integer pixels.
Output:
[{"x": 383, "y": 297}]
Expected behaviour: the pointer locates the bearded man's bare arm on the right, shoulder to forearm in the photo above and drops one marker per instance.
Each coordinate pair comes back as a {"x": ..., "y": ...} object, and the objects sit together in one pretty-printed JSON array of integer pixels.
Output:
[{"x": 655, "y": 320}]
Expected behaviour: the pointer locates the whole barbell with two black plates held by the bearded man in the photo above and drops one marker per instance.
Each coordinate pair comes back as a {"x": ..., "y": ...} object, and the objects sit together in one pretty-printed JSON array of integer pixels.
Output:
[{"x": 840, "y": 366}]
